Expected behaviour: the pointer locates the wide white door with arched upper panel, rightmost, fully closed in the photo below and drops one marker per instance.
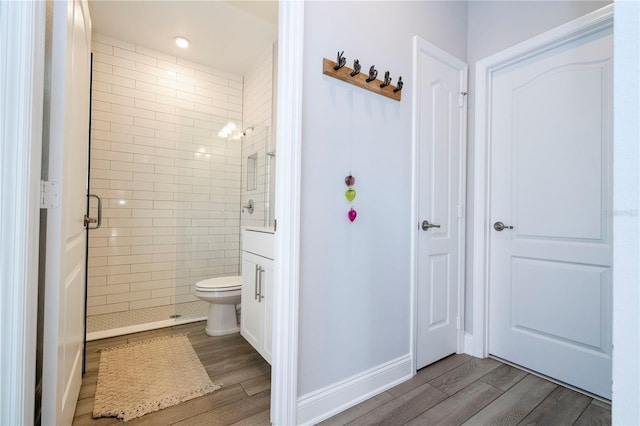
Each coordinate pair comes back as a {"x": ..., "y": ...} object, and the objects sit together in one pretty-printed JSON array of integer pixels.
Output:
[{"x": 550, "y": 176}]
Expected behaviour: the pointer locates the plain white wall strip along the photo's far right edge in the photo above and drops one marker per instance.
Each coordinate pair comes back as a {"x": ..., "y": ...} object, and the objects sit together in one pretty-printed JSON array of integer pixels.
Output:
[{"x": 626, "y": 201}]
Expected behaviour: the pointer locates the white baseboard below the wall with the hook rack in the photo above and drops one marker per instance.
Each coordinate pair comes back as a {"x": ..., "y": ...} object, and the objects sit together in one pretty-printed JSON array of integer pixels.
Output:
[{"x": 333, "y": 399}]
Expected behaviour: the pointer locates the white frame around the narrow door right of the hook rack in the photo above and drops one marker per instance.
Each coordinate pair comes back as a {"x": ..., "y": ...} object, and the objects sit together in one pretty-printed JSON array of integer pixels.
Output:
[{"x": 421, "y": 45}]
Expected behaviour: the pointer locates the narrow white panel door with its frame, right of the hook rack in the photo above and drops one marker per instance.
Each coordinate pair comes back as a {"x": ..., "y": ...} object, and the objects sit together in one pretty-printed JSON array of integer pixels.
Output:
[{"x": 440, "y": 142}]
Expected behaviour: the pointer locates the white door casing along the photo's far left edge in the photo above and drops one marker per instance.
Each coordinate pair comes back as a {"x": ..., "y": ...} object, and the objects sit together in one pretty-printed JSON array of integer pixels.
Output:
[{"x": 22, "y": 24}]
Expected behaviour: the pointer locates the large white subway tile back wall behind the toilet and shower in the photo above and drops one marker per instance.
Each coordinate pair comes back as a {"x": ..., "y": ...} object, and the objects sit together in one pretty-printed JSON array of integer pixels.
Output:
[{"x": 170, "y": 186}]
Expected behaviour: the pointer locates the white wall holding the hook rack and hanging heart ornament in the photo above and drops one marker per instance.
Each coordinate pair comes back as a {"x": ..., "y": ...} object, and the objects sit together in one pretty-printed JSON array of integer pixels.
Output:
[{"x": 355, "y": 277}]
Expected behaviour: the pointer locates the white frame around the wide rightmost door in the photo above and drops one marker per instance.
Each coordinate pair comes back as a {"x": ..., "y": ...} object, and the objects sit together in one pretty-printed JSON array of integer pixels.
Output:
[{"x": 485, "y": 68}]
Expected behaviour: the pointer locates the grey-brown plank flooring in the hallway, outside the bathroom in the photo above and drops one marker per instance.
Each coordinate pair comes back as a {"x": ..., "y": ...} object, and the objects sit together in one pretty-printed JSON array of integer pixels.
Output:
[{"x": 462, "y": 390}]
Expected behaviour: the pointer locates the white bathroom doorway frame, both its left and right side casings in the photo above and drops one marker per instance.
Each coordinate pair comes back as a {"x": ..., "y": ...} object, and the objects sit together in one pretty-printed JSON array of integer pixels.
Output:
[{"x": 26, "y": 74}]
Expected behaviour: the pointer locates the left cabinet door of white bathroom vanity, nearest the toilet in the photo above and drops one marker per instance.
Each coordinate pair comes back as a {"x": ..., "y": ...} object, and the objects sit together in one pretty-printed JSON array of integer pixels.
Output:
[{"x": 252, "y": 312}]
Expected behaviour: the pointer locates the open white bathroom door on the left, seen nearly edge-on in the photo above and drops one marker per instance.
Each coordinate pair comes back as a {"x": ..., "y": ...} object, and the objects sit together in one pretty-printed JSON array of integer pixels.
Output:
[{"x": 66, "y": 236}]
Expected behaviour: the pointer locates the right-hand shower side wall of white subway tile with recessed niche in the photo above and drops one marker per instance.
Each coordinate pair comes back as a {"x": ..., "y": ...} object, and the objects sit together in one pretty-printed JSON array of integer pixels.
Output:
[{"x": 257, "y": 113}]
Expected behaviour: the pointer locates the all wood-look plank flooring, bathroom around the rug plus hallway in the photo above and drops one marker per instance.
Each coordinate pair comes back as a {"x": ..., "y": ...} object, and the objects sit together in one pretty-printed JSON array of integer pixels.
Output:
[{"x": 458, "y": 390}]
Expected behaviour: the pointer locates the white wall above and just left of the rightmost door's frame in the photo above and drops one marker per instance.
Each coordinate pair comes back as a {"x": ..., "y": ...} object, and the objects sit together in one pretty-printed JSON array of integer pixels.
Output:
[{"x": 494, "y": 26}]
